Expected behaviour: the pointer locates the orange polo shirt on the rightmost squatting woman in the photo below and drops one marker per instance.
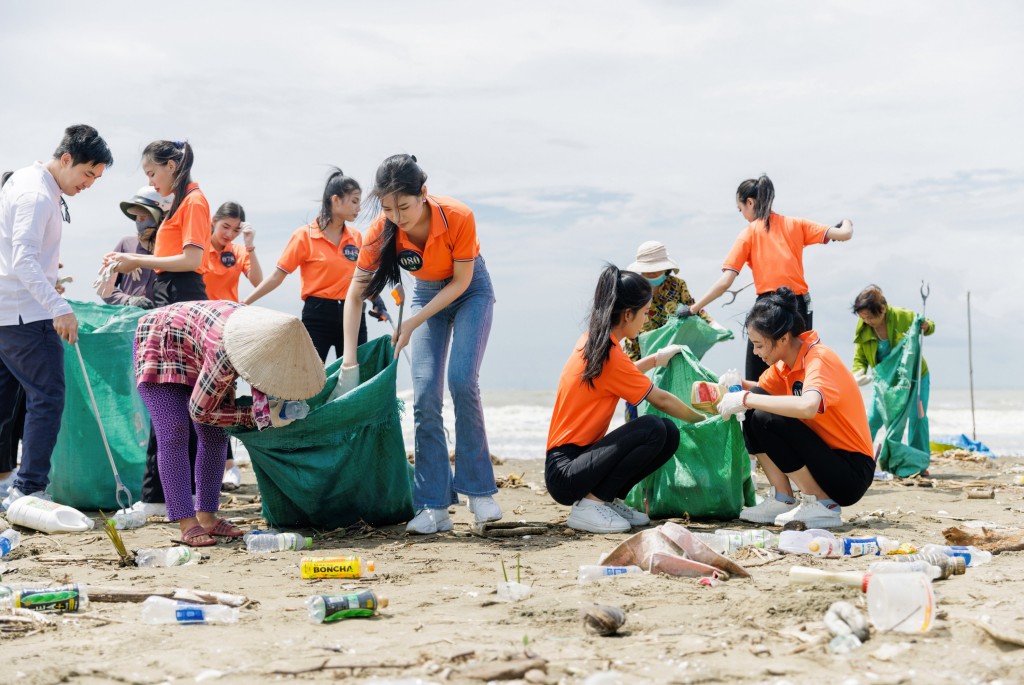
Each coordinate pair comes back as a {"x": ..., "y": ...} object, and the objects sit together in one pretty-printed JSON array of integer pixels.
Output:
[{"x": 842, "y": 420}]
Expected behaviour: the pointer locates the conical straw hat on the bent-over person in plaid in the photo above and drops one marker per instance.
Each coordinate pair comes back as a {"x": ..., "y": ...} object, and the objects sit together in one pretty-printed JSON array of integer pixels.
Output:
[{"x": 274, "y": 353}]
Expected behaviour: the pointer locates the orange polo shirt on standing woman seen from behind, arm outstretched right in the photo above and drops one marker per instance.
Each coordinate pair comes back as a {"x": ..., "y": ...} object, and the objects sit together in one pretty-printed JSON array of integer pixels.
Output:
[{"x": 776, "y": 256}]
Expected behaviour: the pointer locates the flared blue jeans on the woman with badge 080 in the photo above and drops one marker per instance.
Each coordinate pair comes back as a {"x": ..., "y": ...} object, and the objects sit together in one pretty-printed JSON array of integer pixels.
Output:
[{"x": 465, "y": 326}]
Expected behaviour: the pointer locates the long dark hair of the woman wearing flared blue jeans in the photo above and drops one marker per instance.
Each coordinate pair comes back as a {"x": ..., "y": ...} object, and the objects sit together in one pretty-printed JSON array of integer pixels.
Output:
[{"x": 399, "y": 175}]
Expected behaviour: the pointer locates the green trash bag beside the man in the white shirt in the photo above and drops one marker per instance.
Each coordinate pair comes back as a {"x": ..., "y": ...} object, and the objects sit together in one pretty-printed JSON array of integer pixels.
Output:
[{"x": 80, "y": 469}]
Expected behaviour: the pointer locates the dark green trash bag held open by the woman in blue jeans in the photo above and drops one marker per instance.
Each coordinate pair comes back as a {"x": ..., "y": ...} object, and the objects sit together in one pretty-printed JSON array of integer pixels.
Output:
[{"x": 346, "y": 461}]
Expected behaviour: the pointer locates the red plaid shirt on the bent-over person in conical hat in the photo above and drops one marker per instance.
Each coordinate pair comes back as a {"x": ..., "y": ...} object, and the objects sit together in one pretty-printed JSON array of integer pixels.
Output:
[{"x": 184, "y": 344}]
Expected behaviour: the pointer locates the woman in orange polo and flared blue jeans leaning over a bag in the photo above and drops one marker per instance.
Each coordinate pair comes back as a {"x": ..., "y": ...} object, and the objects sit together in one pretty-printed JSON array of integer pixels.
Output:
[{"x": 435, "y": 239}]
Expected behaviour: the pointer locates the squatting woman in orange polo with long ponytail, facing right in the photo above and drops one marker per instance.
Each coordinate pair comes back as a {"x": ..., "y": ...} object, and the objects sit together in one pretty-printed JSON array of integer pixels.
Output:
[{"x": 587, "y": 467}]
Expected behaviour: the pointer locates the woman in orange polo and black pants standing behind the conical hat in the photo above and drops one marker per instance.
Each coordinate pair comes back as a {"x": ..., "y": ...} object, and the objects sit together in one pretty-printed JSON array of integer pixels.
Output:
[{"x": 325, "y": 251}]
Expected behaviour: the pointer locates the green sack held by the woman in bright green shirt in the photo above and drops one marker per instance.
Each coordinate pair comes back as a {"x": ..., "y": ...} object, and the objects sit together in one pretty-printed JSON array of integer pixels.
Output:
[{"x": 895, "y": 396}]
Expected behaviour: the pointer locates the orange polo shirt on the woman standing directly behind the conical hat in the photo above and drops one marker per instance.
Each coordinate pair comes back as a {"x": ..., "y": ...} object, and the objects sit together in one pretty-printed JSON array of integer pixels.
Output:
[{"x": 325, "y": 269}]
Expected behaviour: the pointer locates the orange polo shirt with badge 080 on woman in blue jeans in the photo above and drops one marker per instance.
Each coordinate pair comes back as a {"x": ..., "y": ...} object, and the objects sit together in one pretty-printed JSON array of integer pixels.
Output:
[{"x": 452, "y": 239}]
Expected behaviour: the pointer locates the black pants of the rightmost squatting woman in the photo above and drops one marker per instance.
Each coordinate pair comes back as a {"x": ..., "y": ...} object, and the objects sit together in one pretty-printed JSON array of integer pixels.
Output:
[{"x": 791, "y": 445}]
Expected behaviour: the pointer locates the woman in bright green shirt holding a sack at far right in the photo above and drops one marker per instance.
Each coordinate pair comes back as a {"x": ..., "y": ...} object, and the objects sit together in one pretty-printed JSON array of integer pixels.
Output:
[{"x": 879, "y": 331}]
